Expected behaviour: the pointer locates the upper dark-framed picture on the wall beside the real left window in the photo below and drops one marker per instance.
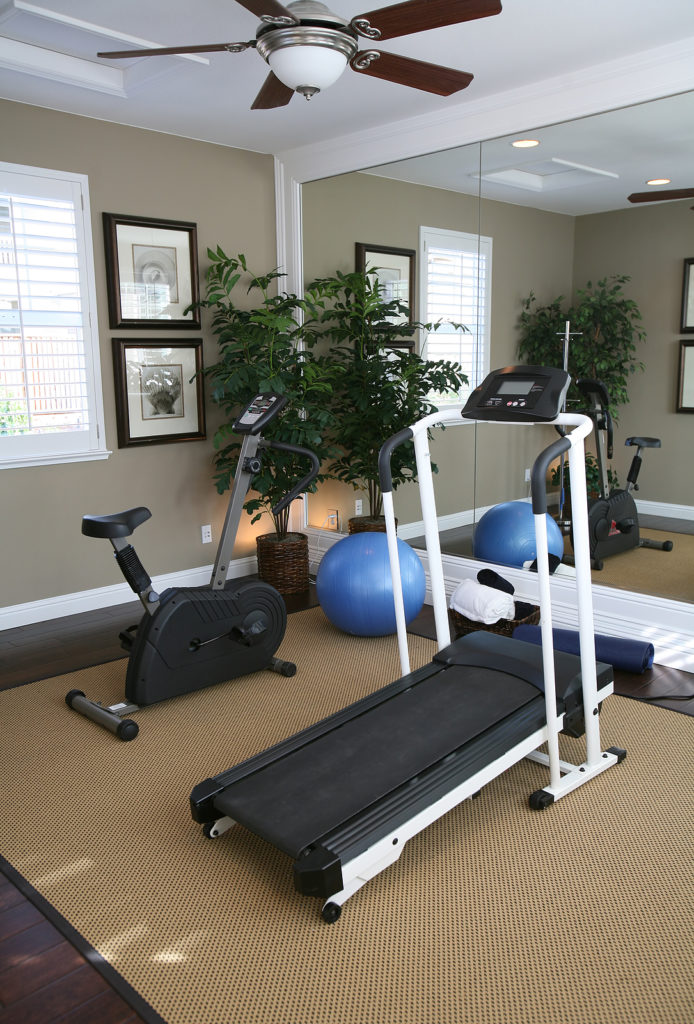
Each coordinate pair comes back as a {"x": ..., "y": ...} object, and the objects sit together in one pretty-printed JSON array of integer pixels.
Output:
[{"x": 152, "y": 272}]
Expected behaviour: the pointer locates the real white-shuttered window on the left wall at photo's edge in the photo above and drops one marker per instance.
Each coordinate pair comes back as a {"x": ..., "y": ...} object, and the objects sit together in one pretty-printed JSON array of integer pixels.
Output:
[{"x": 51, "y": 399}]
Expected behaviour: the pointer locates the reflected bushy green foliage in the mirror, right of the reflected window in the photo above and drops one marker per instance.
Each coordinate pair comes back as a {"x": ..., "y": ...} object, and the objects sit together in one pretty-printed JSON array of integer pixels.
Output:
[{"x": 610, "y": 325}]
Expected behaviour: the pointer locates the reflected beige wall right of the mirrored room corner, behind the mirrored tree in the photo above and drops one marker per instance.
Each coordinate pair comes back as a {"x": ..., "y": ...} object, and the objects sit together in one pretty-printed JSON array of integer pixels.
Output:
[{"x": 649, "y": 244}]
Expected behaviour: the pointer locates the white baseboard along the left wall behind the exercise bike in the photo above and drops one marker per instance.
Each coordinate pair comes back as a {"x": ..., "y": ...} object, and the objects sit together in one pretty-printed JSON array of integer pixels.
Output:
[{"x": 106, "y": 598}]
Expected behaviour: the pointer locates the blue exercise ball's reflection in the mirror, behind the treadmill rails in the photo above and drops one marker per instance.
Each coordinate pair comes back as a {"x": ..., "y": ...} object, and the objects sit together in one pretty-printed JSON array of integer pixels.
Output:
[{"x": 506, "y": 535}]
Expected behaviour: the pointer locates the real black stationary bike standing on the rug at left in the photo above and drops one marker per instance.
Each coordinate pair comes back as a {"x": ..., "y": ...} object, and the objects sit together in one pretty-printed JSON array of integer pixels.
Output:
[{"x": 193, "y": 637}]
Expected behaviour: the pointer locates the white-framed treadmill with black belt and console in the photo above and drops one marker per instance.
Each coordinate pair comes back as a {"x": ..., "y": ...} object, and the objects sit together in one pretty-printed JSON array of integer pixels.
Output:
[{"x": 343, "y": 797}]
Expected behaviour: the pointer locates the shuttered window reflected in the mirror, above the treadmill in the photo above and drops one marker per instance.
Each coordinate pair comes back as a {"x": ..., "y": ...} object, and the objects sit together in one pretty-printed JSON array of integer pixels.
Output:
[{"x": 456, "y": 286}]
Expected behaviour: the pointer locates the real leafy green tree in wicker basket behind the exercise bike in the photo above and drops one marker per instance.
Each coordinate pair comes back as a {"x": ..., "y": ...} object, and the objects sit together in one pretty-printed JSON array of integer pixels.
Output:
[{"x": 268, "y": 348}]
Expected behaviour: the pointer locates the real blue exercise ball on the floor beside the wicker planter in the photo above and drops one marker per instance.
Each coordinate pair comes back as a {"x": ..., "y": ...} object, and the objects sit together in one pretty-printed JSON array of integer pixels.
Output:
[{"x": 356, "y": 589}]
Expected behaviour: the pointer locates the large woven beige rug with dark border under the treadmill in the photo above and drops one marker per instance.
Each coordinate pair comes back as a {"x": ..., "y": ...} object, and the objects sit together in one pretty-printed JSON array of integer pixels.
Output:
[{"x": 496, "y": 915}]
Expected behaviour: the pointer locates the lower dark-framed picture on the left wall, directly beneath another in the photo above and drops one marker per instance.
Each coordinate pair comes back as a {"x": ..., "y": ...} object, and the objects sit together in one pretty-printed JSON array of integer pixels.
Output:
[{"x": 159, "y": 392}]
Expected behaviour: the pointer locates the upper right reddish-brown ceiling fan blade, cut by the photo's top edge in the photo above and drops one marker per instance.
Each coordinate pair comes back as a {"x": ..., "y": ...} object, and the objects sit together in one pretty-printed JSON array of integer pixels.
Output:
[{"x": 420, "y": 16}]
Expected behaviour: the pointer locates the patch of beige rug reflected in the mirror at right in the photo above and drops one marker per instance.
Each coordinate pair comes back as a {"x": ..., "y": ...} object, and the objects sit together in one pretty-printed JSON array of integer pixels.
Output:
[{"x": 664, "y": 574}]
